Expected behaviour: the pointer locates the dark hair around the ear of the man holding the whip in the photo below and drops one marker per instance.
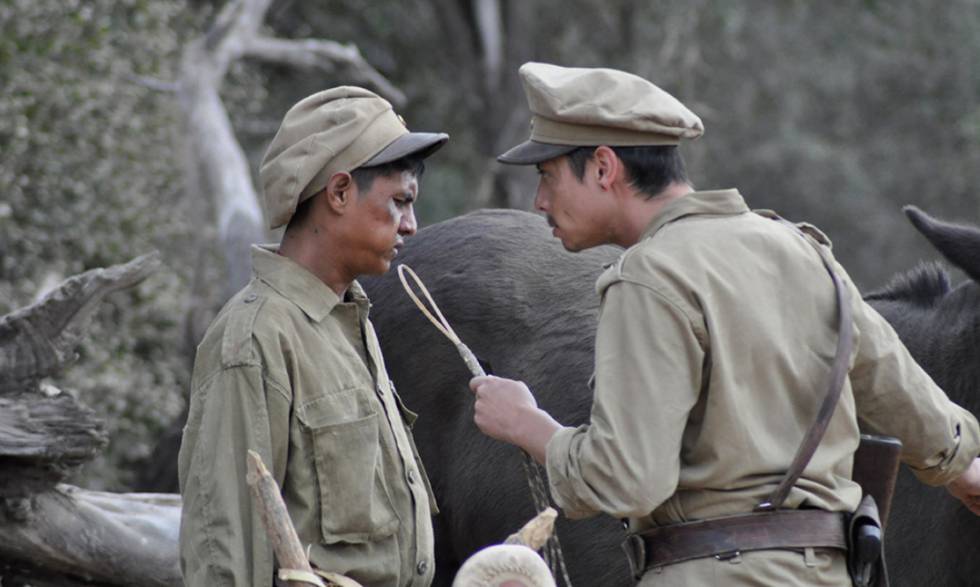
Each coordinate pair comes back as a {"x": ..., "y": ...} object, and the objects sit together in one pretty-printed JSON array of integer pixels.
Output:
[{"x": 650, "y": 168}]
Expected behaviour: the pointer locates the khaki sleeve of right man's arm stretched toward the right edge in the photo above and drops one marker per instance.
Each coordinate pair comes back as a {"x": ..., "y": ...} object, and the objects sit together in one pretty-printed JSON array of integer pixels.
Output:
[{"x": 896, "y": 397}]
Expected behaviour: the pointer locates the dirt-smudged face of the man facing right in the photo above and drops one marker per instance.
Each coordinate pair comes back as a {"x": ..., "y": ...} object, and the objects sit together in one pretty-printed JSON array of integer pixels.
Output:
[{"x": 380, "y": 219}]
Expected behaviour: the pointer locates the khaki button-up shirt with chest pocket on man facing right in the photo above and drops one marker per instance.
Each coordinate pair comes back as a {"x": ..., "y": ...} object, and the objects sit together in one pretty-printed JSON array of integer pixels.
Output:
[{"x": 293, "y": 372}]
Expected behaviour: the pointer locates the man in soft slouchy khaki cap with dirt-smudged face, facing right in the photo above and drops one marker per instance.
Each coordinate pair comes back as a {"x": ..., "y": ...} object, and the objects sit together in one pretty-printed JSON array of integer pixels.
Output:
[{"x": 291, "y": 366}]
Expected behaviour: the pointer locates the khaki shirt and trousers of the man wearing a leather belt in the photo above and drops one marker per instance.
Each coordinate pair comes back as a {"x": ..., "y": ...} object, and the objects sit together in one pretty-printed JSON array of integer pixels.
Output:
[{"x": 715, "y": 339}]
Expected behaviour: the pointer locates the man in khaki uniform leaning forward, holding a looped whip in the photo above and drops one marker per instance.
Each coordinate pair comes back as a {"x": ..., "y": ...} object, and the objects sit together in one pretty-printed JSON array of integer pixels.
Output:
[{"x": 716, "y": 332}]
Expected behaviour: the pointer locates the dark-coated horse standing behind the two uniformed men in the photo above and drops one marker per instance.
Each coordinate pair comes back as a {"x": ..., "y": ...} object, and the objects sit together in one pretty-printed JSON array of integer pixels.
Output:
[{"x": 528, "y": 309}]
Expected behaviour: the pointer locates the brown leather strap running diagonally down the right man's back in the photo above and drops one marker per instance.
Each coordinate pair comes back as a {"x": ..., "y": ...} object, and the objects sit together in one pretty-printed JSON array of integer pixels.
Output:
[{"x": 835, "y": 382}]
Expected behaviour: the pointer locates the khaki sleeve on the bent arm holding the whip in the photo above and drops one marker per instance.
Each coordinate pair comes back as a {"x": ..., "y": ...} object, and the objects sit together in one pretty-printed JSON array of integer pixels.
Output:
[{"x": 648, "y": 376}]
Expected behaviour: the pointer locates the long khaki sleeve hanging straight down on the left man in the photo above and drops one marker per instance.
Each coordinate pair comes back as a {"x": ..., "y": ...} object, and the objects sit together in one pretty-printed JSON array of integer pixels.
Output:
[{"x": 222, "y": 540}]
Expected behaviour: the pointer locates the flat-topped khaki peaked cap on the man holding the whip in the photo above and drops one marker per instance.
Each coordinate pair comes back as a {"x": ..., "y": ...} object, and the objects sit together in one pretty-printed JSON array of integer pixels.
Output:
[{"x": 582, "y": 107}]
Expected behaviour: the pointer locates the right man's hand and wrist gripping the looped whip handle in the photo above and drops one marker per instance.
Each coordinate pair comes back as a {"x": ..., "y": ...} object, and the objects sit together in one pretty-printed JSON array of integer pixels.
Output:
[{"x": 506, "y": 410}]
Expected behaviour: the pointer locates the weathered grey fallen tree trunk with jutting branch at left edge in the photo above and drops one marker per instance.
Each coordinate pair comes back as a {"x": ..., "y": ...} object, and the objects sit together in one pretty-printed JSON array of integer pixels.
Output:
[{"x": 56, "y": 534}]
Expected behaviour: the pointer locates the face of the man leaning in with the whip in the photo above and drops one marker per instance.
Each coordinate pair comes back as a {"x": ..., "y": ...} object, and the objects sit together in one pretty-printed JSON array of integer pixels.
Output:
[{"x": 576, "y": 209}]
